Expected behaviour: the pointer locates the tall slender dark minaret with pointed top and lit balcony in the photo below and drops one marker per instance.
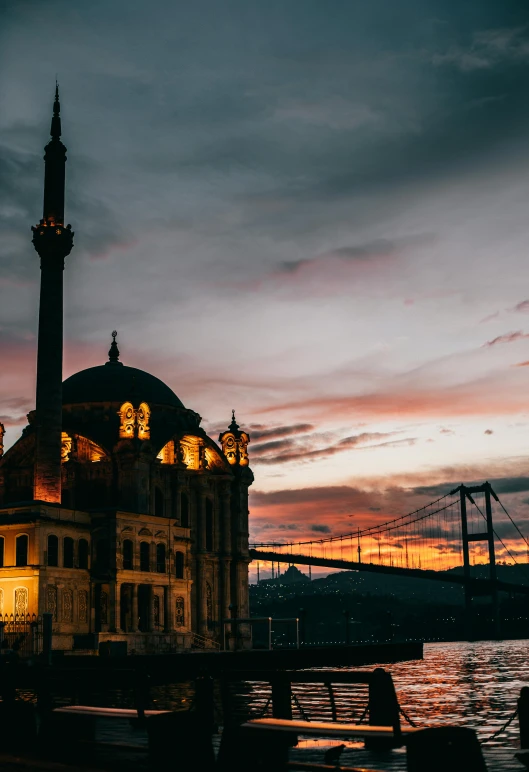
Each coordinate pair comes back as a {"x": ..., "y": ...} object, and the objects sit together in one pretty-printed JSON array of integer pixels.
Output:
[{"x": 53, "y": 243}]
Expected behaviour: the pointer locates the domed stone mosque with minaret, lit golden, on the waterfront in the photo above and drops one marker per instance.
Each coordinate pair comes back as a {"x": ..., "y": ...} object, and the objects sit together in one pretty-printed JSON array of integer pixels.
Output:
[{"x": 119, "y": 516}]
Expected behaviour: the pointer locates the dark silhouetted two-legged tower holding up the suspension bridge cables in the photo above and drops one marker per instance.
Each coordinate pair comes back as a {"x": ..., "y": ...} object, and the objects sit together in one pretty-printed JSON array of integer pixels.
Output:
[{"x": 465, "y": 493}]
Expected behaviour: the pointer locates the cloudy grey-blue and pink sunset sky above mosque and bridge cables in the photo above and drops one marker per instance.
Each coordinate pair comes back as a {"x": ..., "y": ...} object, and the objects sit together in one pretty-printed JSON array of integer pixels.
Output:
[{"x": 311, "y": 211}]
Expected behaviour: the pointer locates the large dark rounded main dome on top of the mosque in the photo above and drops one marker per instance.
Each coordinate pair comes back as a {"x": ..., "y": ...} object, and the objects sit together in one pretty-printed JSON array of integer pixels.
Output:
[{"x": 114, "y": 382}]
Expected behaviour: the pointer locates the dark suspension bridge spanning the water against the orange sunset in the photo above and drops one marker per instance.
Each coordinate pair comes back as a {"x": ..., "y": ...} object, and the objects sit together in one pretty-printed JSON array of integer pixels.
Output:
[{"x": 441, "y": 541}]
